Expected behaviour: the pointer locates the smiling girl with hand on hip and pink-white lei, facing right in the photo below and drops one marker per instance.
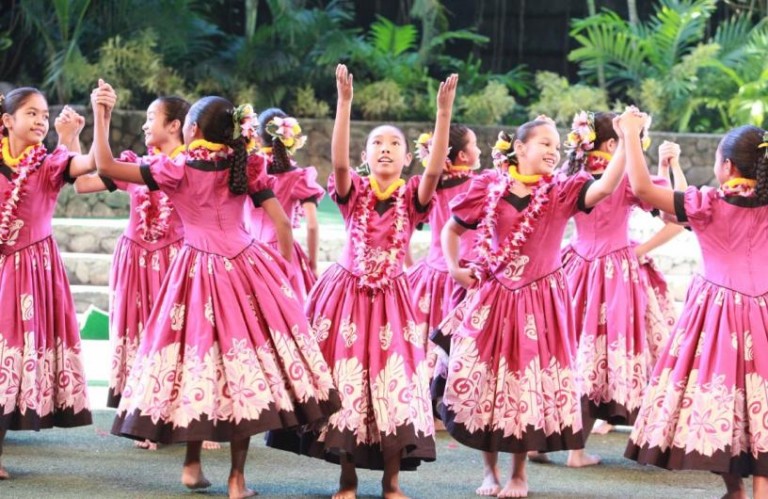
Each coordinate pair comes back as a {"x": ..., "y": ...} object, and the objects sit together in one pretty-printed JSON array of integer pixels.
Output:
[{"x": 510, "y": 385}]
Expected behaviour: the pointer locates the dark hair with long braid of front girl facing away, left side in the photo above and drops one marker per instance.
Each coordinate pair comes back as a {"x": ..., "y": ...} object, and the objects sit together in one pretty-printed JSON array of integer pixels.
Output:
[{"x": 214, "y": 117}]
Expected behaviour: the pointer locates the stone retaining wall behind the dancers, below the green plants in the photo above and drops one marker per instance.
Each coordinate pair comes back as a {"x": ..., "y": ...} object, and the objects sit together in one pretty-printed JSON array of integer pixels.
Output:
[{"x": 697, "y": 157}]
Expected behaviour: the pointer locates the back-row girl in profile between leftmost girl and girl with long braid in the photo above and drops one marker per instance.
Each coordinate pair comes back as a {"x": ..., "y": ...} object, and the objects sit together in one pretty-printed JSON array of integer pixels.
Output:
[{"x": 148, "y": 245}]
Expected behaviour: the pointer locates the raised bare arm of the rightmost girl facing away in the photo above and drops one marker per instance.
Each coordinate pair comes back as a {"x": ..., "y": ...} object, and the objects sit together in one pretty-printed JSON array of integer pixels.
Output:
[{"x": 631, "y": 123}]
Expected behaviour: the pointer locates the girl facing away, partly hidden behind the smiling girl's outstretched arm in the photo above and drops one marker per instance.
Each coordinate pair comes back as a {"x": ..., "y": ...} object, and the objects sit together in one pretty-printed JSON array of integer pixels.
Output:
[{"x": 609, "y": 294}]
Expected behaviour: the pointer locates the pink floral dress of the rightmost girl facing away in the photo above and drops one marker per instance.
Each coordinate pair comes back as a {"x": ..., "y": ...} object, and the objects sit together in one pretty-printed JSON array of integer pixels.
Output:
[{"x": 706, "y": 405}]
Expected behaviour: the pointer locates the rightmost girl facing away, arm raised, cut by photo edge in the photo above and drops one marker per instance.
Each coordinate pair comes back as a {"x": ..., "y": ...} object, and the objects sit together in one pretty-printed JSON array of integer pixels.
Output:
[{"x": 706, "y": 406}]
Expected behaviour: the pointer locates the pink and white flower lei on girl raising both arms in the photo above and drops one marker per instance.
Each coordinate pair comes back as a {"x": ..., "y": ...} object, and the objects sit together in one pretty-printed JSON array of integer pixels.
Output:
[{"x": 375, "y": 266}]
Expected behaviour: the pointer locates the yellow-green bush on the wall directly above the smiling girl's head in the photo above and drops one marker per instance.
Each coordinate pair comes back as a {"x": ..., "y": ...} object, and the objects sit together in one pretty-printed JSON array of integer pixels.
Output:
[{"x": 560, "y": 101}]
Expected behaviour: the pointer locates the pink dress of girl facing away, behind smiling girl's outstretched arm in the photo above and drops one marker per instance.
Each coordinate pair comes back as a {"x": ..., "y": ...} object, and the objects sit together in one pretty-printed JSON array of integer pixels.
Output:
[{"x": 610, "y": 304}]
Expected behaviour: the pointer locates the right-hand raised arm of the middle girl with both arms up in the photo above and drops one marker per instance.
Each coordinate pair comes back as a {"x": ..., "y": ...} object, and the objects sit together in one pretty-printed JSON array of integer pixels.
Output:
[{"x": 446, "y": 94}]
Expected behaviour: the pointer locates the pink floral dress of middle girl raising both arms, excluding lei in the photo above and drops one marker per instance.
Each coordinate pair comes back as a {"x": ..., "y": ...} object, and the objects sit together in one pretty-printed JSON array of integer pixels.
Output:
[{"x": 376, "y": 350}]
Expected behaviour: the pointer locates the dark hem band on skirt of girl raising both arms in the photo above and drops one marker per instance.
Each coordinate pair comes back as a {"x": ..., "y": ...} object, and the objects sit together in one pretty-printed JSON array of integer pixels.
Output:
[{"x": 414, "y": 447}]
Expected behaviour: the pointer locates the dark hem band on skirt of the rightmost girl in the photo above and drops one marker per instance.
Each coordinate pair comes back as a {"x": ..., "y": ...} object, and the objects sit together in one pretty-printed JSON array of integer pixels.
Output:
[{"x": 675, "y": 459}]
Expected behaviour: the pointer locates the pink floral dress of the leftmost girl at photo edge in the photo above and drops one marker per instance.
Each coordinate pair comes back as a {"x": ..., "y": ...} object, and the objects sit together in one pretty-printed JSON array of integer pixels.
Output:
[{"x": 43, "y": 382}]
